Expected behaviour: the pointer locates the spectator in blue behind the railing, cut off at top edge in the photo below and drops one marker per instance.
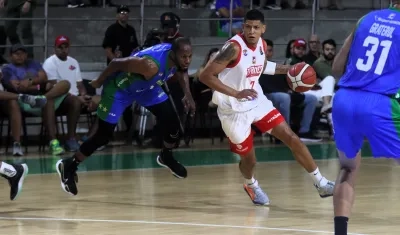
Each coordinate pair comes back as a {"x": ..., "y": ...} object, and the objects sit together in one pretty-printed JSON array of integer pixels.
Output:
[{"x": 223, "y": 7}]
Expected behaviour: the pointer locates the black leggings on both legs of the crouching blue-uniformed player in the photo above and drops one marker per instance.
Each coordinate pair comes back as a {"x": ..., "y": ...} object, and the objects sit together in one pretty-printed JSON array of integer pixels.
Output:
[{"x": 165, "y": 115}]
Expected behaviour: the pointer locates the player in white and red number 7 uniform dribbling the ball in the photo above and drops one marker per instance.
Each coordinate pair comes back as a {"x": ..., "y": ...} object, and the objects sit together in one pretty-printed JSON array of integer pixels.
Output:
[{"x": 234, "y": 74}]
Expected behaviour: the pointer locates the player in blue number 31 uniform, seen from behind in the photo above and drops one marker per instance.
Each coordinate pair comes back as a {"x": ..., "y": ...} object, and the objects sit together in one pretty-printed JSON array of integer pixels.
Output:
[{"x": 367, "y": 102}]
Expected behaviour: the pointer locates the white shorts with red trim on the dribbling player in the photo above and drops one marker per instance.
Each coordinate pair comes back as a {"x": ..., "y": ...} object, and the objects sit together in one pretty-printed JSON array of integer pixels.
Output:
[{"x": 237, "y": 125}]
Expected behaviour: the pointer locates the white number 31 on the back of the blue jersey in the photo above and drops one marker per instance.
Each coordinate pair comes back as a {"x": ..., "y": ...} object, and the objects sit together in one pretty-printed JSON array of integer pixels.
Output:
[{"x": 366, "y": 65}]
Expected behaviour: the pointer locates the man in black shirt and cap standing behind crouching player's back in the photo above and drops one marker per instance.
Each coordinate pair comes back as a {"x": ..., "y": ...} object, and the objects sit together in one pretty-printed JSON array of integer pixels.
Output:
[{"x": 120, "y": 41}]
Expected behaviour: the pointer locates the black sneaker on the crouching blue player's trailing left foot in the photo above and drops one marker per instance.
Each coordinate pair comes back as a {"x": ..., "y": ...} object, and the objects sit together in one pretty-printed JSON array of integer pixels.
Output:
[{"x": 66, "y": 169}]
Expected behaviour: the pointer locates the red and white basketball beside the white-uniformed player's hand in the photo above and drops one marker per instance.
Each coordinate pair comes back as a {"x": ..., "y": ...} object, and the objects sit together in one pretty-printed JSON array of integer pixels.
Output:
[{"x": 301, "y": 77}]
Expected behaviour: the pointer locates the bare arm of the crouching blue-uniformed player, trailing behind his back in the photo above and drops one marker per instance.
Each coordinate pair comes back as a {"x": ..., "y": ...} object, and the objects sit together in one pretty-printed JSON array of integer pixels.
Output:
[{"x": 144, "y": 66}]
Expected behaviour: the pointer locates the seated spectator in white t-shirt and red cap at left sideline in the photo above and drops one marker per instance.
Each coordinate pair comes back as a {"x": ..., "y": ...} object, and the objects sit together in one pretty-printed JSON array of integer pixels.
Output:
[{"x": 59, "y": 67}]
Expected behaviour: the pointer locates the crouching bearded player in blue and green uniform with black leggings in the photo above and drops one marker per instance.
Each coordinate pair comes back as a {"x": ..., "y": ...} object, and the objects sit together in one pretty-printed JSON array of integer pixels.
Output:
[{"x": 137, "y": 78}]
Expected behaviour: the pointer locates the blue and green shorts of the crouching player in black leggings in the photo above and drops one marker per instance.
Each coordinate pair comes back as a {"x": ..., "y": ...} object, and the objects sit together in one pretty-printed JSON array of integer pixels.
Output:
[{"x": 114, "y": 100}]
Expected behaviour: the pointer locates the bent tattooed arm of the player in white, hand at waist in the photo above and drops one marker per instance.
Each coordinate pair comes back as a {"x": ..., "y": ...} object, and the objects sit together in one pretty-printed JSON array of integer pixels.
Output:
[{"x": 226, "y": 56}]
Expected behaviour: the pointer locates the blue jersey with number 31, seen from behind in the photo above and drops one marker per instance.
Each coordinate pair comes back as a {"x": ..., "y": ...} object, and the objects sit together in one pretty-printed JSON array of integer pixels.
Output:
[{"x": 374, "y": 59}]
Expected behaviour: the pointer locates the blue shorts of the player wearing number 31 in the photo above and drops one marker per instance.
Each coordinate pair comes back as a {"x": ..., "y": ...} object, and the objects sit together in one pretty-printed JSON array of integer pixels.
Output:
[{"x": 358, "y": 115}]
